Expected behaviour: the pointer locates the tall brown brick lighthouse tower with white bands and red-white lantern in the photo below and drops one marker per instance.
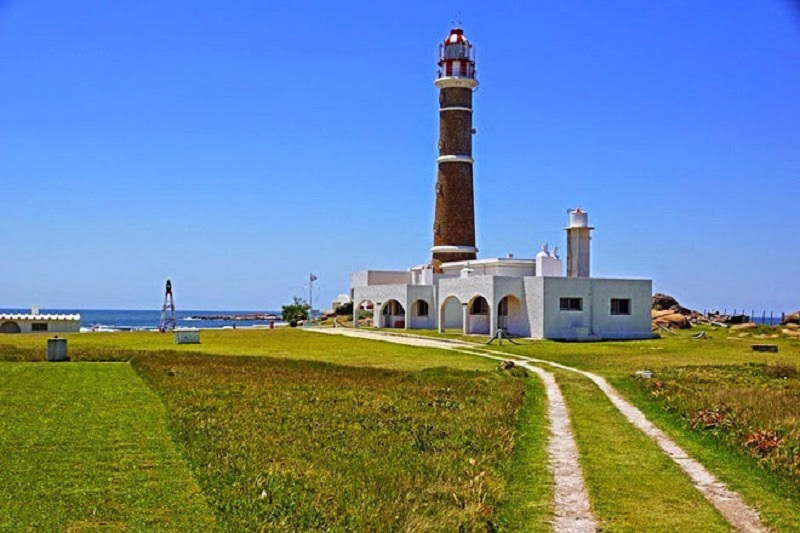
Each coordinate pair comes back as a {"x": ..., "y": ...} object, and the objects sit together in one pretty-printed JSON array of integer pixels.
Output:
[{"x": 454, "y": 220}]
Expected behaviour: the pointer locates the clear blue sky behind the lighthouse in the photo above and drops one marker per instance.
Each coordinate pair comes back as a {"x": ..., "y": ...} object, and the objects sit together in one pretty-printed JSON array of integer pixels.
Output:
[{"x": 237, "y": 146}]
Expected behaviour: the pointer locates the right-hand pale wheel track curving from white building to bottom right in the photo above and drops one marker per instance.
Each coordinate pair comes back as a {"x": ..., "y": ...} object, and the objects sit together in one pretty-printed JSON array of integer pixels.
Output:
[{"x": 729, "y": 503}]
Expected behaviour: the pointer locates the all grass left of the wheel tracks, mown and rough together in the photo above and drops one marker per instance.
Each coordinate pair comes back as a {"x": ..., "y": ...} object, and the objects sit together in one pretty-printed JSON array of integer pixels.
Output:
[{"x": 390, "y": 437}]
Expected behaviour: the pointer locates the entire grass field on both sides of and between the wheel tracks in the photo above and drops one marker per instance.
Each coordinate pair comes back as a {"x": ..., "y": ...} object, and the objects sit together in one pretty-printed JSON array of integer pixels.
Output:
[{"x": 283, "y": 429}]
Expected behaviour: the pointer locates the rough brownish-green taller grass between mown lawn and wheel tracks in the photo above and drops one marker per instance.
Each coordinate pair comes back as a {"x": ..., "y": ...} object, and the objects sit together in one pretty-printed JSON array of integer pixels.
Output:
[{"x": 302, "y": 445}]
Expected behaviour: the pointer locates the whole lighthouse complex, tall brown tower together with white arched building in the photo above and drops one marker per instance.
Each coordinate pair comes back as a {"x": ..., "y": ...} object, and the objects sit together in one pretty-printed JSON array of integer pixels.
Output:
[{"x": 523, "y": 297}]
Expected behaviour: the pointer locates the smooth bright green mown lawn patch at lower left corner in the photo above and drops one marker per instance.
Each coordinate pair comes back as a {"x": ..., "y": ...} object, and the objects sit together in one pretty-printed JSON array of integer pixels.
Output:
[{"x": 85, "y": 447}]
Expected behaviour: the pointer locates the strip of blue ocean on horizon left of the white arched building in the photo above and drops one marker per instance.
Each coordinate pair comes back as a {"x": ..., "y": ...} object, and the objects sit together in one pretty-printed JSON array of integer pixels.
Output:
[{"x": 121, "y": 319}]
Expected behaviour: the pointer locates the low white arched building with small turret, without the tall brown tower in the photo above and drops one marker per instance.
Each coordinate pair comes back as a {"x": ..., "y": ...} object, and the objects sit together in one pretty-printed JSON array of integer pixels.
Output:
[{"x": 523, "y": 297}]
